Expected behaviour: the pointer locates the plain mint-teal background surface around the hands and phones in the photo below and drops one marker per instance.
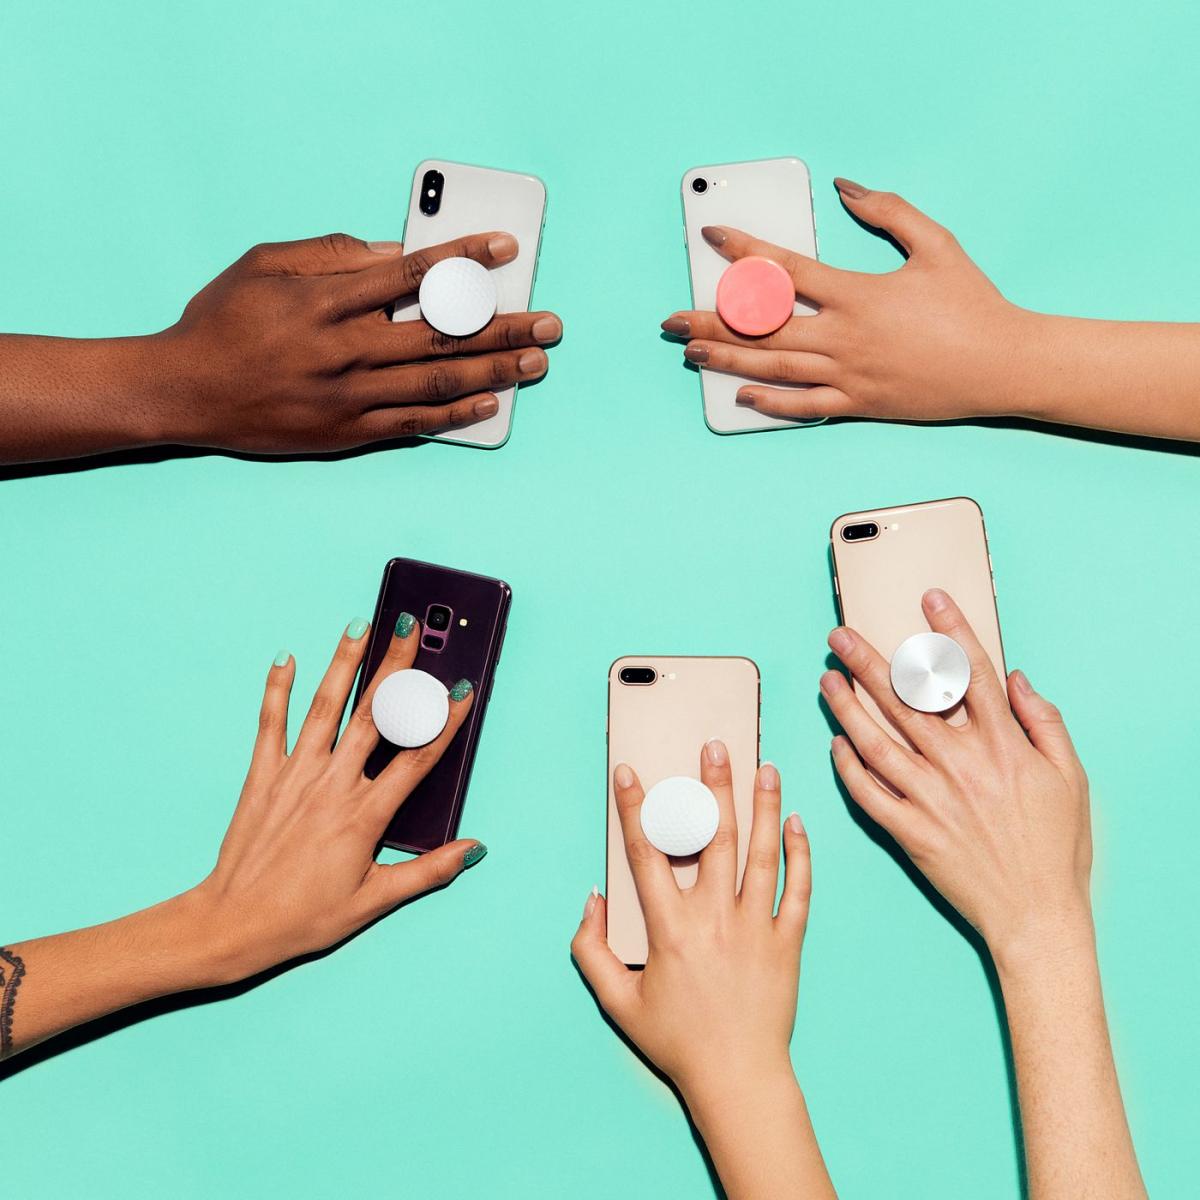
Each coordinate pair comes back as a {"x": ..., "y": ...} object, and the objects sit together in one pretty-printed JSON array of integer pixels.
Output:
[{"x": 452, "y": 1051}]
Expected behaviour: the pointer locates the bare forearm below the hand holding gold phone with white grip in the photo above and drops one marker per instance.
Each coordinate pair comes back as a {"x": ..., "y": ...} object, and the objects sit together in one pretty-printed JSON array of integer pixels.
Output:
[{"x": 760, "y": 1137}]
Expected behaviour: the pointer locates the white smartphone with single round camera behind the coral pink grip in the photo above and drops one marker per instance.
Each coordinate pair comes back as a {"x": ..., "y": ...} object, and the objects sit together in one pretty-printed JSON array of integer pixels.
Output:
[{"x": 772, "y": 200}]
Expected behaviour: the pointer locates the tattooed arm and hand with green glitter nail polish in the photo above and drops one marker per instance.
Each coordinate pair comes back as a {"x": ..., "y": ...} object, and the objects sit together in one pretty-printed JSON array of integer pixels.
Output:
[{"x": 296, "y": 874}]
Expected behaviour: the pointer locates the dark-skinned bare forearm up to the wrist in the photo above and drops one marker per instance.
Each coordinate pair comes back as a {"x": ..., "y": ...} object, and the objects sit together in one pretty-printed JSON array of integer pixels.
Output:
[{"x": 64, "y": 398}]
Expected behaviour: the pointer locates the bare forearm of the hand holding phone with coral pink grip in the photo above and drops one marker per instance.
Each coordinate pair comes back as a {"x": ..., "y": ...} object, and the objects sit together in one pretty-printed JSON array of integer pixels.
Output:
[{"x": 1130, "y": 377}]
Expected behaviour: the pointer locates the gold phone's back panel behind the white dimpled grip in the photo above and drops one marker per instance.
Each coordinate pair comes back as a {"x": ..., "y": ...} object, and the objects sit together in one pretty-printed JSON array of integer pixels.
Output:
[{"x": 659, "y": 730}]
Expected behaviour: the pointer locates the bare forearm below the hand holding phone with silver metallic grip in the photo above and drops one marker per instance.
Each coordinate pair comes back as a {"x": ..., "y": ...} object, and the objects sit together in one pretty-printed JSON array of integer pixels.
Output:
[{"x": 1077, "y": 1138}]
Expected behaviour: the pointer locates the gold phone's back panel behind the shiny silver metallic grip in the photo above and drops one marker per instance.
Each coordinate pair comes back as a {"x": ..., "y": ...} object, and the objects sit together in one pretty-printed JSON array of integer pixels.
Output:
[{"x": 941, "y": 544}]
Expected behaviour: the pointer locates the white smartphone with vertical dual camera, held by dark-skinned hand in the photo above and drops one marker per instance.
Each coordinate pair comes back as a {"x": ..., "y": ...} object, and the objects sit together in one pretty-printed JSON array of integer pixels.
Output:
[{"x": 449, "y": 201}]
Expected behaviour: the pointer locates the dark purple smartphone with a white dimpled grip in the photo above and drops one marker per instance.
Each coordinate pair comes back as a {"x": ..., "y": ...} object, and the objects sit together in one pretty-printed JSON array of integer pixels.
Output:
[{"x": 464, "y": 619}]
